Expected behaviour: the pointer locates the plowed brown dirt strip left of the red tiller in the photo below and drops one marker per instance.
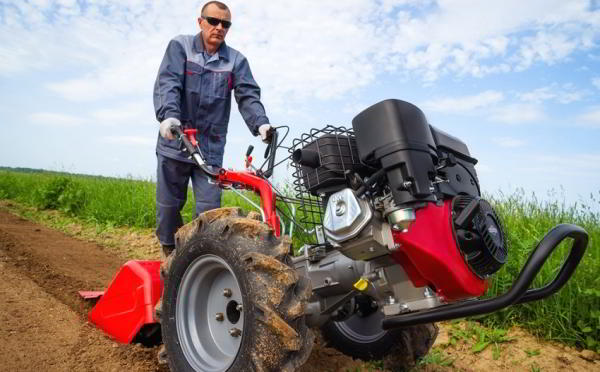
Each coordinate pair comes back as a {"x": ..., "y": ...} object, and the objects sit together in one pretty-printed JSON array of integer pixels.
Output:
[{"x": 42, "y": 319}]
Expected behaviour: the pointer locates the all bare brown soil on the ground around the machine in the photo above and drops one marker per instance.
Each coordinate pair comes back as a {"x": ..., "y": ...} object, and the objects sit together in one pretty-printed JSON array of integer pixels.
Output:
[{"x": 43, "y": 324}]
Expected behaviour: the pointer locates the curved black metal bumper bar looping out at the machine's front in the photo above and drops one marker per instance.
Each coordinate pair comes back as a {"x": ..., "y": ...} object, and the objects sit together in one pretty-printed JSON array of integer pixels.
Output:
[{"x": 519, "y": 292}]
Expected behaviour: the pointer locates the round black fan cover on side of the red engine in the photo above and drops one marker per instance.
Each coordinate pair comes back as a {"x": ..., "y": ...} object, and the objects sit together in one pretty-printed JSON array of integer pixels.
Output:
[{"x": 479, "y": 235}]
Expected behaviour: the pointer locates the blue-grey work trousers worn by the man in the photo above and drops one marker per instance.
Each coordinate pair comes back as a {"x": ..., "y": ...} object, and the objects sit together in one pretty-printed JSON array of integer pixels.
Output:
[{"x": 172, "y": 180}]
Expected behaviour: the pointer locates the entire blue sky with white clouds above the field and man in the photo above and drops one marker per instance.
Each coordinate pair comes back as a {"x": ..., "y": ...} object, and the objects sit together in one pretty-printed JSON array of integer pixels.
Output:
[{"x": 518, "y": 81}]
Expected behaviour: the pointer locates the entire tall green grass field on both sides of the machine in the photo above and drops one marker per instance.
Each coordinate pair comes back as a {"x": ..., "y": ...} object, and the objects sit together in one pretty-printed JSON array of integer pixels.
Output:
[{"x": 571, "y": 316}]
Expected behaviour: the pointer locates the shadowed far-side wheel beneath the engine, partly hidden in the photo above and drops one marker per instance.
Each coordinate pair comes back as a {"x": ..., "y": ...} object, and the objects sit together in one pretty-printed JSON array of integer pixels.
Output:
[{"x": 361, "y": 336}]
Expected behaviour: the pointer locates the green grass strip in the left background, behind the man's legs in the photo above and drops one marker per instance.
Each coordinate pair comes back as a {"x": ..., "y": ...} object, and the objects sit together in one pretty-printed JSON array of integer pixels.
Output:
[{"x": 104, "y": 200}]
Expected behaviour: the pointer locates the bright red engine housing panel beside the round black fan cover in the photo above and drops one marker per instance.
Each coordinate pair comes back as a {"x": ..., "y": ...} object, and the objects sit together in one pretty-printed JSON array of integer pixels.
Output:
[{"x": 430, "y": 256}]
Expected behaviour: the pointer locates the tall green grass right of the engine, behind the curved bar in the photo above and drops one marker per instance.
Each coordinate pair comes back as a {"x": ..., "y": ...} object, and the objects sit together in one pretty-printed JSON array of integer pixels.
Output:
[{"x": 572, "y": 315}]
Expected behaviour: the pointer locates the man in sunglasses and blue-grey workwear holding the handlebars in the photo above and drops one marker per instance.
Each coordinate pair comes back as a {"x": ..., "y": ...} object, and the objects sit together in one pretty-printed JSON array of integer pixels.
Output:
[{"x": 193, "y": 89}]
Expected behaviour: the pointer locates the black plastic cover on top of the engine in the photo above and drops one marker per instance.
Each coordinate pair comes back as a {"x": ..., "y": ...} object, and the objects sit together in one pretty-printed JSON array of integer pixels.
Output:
[{"x": 395, "y": 135}]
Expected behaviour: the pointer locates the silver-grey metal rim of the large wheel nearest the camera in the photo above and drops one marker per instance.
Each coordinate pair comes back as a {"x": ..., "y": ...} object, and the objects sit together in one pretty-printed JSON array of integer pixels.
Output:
[{"x": 209, "y": 342}]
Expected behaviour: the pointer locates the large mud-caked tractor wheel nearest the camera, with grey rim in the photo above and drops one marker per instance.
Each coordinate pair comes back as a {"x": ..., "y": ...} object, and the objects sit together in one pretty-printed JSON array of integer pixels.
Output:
[{"x": 230, "y": 301}]
